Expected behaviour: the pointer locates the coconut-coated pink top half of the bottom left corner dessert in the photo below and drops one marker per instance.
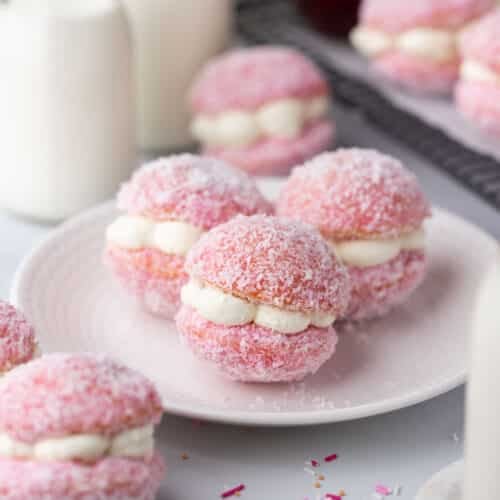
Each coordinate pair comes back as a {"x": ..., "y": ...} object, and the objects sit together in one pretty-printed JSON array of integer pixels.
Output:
[{"x": 62, "y": 394}]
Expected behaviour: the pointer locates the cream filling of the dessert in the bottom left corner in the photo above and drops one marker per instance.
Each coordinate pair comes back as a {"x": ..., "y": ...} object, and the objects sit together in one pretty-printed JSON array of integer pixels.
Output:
[{"x": 134, "y": 443}]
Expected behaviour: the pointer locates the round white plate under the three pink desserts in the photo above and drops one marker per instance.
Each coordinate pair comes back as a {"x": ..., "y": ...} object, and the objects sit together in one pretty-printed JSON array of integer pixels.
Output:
[{"x": 416, "y": 353}]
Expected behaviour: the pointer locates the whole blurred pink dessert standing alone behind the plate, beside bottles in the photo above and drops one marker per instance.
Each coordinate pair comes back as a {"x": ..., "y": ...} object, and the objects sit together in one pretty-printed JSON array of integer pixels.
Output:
[{"x": 263, "y": 109}]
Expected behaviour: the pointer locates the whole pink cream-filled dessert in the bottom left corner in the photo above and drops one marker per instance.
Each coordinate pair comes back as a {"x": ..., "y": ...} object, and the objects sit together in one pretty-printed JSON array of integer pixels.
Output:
[{"x": 78, "y": 426}]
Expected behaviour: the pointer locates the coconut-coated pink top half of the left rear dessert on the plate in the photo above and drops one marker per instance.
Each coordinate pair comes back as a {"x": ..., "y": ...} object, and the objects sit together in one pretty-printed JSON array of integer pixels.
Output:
[{"x": 200, "y": 190}]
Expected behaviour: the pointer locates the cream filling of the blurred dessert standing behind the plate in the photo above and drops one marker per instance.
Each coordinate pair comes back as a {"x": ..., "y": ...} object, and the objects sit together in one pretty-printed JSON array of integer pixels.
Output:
[{"x": 281, "y": 118}]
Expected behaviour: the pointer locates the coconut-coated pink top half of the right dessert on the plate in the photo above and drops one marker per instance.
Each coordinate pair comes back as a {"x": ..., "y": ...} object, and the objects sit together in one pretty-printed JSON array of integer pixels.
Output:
[{"x": 355, "y": 194}]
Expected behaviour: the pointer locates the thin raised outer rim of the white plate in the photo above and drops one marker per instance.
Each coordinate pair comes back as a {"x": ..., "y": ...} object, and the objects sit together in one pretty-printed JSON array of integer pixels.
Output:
[{"x": 297, "y": 418}]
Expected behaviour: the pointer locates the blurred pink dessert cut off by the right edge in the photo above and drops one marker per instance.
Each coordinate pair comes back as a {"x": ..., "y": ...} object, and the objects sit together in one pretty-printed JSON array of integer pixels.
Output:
[{"x": 478, "y": 91}]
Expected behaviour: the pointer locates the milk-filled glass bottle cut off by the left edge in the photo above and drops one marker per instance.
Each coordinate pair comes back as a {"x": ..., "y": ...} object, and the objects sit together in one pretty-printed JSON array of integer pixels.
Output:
[{"x": 67, "y": 124}]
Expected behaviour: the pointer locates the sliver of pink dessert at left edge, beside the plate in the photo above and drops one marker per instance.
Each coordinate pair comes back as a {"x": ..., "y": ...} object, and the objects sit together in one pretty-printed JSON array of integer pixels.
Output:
[{"x": 17, "y": 338}]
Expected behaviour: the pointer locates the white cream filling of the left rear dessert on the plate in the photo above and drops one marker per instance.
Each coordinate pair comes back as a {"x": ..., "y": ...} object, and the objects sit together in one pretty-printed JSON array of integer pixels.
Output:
[{"x": 171, "y": 237}]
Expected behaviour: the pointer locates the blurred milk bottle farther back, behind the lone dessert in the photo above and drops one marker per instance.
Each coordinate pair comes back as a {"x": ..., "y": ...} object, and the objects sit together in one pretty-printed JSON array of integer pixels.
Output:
[{"x": 172, "y": 40}]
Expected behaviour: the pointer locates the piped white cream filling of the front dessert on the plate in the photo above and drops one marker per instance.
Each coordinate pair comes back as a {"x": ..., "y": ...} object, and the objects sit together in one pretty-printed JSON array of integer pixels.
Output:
[{"x": 225, "y": 309}]
